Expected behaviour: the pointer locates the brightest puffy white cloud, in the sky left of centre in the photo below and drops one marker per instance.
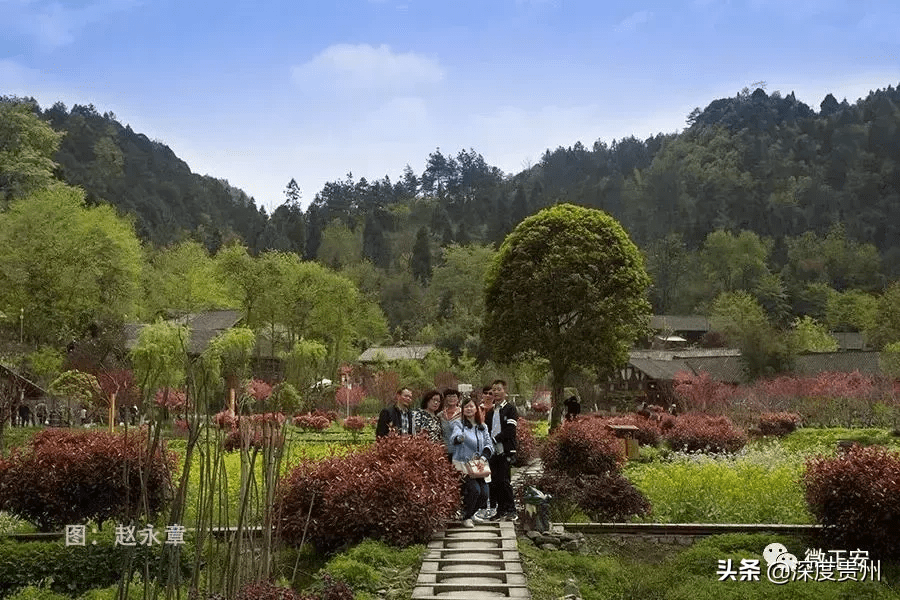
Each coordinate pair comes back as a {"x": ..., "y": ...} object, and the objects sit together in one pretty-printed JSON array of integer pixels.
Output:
[{"x": 366, "y": 67}]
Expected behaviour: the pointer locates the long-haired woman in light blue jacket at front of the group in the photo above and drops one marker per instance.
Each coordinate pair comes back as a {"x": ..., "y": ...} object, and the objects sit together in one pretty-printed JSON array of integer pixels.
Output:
[{"x": 470, "y": 438}]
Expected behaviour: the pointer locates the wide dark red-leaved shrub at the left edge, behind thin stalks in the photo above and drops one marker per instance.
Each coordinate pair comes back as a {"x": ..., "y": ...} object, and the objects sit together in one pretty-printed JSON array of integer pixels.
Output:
[{"x": 63, "y": 477}]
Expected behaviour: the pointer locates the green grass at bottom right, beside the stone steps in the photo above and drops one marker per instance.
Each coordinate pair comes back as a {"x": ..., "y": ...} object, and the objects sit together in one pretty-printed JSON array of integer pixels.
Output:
[{"x": 643, "y": 570}]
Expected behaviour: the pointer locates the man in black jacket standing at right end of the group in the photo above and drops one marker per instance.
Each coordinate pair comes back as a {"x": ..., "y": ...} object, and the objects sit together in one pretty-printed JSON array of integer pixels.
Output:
[{"x": 505, "y": 416}]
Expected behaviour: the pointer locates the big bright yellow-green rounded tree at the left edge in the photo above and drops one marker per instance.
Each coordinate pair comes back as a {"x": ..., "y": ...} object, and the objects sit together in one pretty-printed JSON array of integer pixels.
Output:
[{"x": 67, "y": 265}]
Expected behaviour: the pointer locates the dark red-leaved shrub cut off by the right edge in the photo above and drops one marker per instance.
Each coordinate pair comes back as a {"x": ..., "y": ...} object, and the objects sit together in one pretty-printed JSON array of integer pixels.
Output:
[{"x": 856, "y": 498}]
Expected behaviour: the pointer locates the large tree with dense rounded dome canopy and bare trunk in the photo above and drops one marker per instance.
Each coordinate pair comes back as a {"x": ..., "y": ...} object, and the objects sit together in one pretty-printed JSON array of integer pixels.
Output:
[{"x": 568, "y": 285}]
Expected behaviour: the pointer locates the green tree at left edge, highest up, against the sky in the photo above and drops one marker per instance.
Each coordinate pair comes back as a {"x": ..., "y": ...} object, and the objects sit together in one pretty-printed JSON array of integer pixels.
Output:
[{"x": 27, "y": 145}]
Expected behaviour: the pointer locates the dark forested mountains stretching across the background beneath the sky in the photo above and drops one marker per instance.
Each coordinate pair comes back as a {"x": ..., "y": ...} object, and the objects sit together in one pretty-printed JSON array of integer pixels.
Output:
[{"x": 760, "y": 193}]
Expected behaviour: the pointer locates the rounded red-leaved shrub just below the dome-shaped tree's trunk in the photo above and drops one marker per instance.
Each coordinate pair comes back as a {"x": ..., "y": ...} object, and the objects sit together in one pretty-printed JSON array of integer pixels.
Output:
[{"x": 583, "y": 447}]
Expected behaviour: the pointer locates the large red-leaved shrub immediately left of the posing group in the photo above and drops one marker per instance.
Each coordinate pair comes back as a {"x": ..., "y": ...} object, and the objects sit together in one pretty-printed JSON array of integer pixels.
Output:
[{"x": 400, "y": 490}]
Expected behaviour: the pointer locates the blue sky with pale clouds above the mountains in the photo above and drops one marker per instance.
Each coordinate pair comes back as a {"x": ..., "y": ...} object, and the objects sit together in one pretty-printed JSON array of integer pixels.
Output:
[{"x": 262, "y": 92}]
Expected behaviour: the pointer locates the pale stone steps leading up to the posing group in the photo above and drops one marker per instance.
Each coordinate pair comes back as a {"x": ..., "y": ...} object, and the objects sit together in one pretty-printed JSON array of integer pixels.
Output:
[{"x": 472, "y": 563}]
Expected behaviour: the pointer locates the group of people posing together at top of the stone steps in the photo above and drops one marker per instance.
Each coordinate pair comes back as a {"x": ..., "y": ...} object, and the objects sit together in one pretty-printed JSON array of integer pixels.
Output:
[{"x": 469, "y": 427}]
